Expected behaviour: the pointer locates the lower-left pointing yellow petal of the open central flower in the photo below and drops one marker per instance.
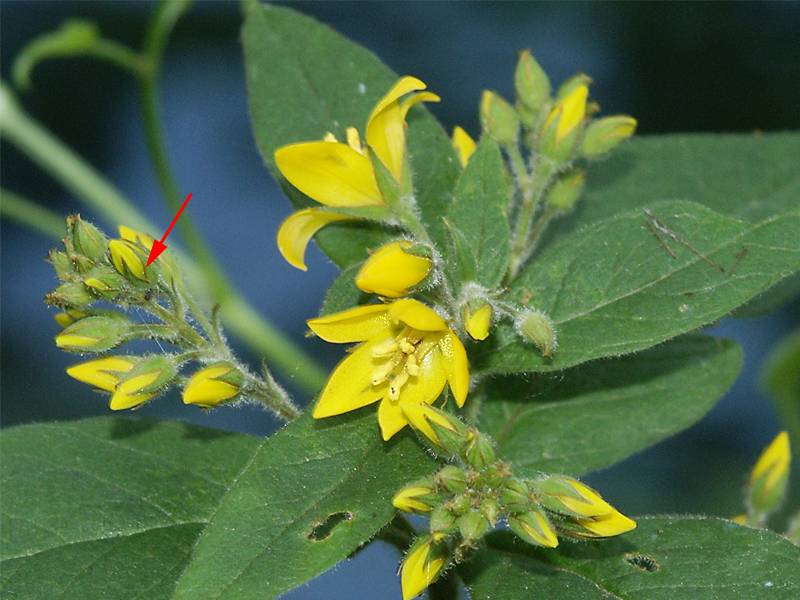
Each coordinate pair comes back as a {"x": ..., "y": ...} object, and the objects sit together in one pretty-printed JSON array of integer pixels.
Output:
[{"x": 349, "y": 387}]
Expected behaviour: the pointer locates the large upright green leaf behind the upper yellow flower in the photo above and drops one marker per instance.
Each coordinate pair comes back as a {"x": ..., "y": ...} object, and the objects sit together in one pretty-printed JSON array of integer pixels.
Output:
[{"x": 303, "y": 80}]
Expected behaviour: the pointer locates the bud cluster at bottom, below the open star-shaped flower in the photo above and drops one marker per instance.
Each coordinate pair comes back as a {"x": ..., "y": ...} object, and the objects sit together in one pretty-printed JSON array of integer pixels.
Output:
[{"x": 475, "y": 490}]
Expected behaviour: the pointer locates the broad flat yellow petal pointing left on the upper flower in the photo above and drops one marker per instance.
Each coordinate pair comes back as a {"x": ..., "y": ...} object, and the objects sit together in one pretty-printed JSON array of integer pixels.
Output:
[{"x": 331, "y": 173}]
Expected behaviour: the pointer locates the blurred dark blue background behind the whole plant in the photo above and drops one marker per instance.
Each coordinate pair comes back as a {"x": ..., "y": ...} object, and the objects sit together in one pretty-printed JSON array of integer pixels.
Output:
[{"x": 676, "y": 67}]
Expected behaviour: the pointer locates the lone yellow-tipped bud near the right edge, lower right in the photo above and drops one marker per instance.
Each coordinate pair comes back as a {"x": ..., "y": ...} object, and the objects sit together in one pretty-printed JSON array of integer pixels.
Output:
[{"x": 769, "y": 478}]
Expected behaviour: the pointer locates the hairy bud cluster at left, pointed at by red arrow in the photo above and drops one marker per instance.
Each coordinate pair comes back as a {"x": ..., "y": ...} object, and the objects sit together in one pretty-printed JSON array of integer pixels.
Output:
[{"x": 93, "y": 269}]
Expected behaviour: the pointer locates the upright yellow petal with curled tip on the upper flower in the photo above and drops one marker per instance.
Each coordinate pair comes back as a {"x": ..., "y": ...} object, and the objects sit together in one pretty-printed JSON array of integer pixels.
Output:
[{"x": 386, "y": 125}]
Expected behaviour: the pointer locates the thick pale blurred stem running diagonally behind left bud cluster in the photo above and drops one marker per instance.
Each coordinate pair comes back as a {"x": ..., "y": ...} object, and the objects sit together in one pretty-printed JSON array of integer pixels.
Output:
[{"x": 89, "y": 186}]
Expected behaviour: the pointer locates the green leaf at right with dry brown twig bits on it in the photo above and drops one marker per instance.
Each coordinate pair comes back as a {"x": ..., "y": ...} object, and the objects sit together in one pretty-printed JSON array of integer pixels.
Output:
[{"x": 621, "y": 285}]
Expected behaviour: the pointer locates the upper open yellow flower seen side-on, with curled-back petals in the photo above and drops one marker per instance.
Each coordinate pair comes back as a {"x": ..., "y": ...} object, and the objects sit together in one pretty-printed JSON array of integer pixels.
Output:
[{"x": 341, "y": 175}]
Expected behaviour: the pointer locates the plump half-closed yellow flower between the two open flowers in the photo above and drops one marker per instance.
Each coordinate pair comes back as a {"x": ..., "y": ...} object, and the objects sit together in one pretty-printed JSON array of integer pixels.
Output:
[{"x": 391, "y": 271}]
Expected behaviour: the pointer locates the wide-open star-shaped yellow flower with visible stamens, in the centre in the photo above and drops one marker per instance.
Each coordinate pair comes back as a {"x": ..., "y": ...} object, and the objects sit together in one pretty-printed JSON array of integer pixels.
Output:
[{"x": 407, "y": 356}]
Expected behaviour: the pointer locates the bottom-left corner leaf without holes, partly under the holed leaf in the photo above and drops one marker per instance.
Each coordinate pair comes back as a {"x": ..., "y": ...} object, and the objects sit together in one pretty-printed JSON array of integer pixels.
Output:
[{"x": 109, "y": 507}]
